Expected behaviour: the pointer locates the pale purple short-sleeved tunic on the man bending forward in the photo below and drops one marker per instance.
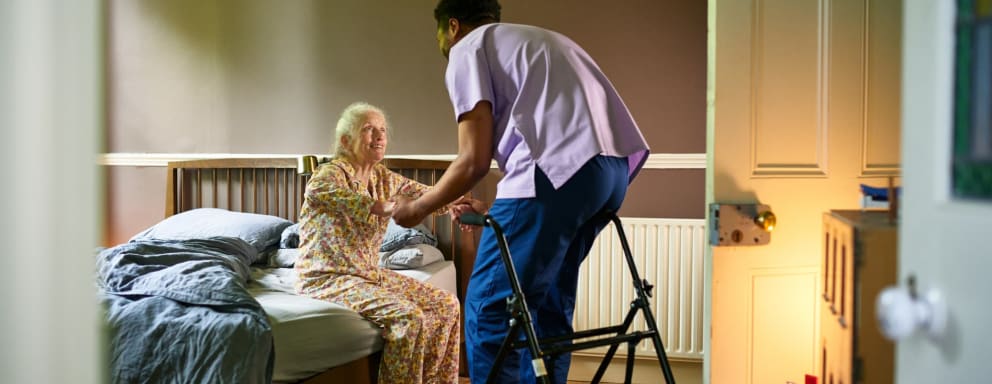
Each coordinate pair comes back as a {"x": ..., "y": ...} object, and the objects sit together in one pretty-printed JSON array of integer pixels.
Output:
[{"x": 553, "y": 108}]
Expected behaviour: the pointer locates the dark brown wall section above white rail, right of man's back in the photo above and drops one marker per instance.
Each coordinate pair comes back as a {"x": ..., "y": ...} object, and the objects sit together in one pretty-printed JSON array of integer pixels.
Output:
[{"x": 653, "y": 51}]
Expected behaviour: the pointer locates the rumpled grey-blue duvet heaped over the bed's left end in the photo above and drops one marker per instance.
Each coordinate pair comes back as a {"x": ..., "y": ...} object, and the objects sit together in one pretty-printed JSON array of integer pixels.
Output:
[{"x": 180, "y": 312}]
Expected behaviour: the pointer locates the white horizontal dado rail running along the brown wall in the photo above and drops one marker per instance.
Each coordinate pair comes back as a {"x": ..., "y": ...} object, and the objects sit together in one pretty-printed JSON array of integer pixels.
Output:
[{"x": 123, "y": 159}]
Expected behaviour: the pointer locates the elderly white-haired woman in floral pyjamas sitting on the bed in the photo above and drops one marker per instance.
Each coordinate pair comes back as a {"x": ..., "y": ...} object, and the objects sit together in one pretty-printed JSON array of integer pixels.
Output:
[{"x": 345, "y": 212}]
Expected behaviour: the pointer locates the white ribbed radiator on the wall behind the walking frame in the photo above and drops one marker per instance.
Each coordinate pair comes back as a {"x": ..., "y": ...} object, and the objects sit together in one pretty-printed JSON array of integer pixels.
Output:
[{"x": 669, "y": 254}]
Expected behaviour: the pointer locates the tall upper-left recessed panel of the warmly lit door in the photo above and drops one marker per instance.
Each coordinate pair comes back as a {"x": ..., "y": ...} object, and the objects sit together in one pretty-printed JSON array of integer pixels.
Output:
[{"x": 786, "y": 137}]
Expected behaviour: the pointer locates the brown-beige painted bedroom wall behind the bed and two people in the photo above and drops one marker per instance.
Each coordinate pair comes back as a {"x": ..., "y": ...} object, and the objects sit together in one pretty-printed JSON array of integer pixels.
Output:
[{"x": 259, "y": 76}]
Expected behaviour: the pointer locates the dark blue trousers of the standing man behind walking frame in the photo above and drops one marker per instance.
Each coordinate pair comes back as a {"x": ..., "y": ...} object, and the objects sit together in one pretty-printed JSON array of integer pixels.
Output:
[{"x": 548, "y": 236}]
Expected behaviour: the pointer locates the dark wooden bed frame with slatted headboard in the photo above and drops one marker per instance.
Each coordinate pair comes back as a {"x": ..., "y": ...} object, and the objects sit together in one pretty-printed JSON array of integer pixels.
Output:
[{"x": 272, "y": 186}]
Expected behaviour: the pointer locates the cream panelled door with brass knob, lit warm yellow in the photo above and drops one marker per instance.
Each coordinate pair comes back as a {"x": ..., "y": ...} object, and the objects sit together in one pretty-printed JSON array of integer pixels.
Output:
[{"x": 803, "y": 107}]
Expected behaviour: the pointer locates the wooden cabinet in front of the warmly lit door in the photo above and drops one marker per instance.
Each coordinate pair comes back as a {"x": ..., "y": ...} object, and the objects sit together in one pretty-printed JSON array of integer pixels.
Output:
[{"x": 858, "y": 261}]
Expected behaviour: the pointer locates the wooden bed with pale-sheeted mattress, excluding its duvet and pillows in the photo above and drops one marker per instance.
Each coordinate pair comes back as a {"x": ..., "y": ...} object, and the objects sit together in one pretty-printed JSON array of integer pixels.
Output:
[{"x": 315, "y": 341}]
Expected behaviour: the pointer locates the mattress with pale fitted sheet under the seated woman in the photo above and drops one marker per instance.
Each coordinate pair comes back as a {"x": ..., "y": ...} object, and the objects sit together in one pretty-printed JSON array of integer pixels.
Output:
[{"x": 312, "y": 335}]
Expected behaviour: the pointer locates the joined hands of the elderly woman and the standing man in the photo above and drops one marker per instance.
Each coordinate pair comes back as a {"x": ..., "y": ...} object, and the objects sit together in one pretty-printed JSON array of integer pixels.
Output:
[{"x": 407, "y": 212}]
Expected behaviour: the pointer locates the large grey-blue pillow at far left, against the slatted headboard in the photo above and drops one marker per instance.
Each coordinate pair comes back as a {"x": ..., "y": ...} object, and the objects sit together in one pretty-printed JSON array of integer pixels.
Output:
[{"x": 261, "y": 231}]
